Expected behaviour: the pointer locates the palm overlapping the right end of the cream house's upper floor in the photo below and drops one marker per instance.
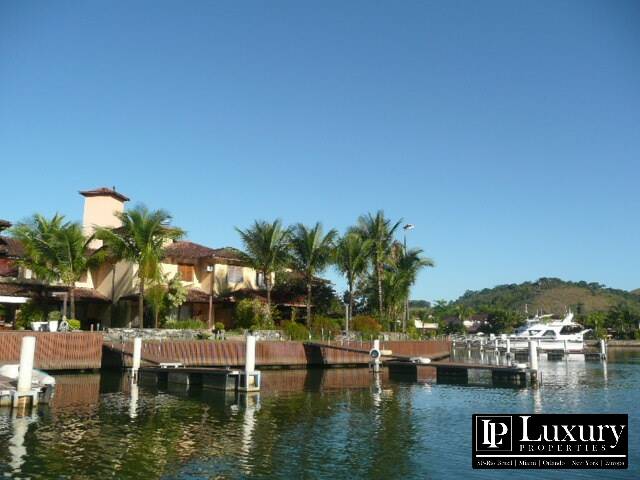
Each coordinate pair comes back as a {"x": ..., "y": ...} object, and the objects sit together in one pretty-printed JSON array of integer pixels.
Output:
[{"x": 266, "y": 249}]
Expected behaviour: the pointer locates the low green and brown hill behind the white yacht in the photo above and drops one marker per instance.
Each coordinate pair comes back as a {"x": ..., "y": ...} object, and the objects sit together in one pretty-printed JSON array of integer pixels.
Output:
[{"x": 551, "y": 295}]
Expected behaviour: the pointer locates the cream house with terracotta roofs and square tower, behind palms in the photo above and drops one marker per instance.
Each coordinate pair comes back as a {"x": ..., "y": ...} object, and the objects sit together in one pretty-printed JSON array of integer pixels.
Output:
[{"x": 215, "y": 278}]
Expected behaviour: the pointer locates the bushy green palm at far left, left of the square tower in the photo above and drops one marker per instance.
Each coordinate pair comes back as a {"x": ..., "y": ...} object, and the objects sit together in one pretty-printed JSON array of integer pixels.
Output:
[{"x": 56, "y": 251}]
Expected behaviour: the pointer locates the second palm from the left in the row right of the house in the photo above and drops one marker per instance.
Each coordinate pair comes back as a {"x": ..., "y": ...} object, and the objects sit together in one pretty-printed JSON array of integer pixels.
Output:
[{"x": 311, "y": 253}]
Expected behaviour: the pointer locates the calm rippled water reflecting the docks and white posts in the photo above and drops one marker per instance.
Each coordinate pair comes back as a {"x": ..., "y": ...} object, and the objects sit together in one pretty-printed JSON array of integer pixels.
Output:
[{"x": 304, "y": 424}]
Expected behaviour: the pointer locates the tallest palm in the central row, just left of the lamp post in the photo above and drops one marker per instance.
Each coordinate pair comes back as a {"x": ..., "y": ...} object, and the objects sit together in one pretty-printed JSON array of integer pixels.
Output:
[{"x": 380, "y": 231}]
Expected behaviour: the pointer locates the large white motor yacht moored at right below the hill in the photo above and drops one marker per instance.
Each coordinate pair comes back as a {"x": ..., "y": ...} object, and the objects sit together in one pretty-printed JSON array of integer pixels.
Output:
[{"x": 551, "y": 334}]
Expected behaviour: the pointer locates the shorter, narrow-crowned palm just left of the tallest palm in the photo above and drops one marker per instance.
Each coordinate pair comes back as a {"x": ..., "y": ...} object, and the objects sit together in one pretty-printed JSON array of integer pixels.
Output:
[{"x": 351, "y": 257}]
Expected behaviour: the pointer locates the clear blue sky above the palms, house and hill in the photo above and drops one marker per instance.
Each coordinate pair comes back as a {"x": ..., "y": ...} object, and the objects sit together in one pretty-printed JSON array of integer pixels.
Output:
[{"x": 507, "y": 132}]
